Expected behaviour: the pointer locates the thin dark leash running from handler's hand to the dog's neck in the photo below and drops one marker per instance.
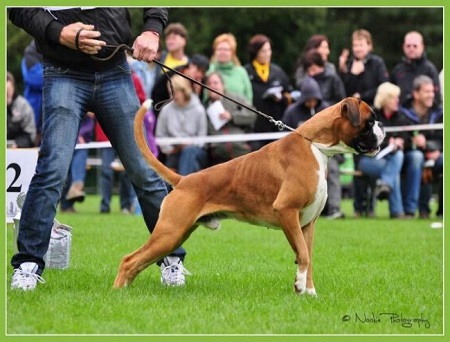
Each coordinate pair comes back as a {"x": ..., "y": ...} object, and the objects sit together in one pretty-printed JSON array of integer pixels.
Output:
[{"x": 278, "y": 123}]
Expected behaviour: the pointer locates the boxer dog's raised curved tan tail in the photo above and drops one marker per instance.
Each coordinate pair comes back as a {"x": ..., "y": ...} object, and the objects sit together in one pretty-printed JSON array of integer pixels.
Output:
[{"x": 170, "y": 176}]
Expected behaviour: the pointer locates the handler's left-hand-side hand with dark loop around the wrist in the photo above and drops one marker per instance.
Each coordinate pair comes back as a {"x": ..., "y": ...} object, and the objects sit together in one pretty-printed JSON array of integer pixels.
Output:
[{"x": 87, "y": 42}]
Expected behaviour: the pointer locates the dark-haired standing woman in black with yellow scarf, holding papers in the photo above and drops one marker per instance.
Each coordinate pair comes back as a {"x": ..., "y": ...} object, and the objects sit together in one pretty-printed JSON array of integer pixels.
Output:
[{"x": 271, "y": 86}]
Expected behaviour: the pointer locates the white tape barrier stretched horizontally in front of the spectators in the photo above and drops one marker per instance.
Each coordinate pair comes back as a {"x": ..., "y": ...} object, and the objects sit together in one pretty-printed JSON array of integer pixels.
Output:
[{"x": 248, "y": 137}]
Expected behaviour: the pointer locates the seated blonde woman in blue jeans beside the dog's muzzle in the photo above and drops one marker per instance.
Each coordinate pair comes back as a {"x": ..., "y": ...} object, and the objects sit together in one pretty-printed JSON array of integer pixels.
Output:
[{"x": 388, "y": 167}]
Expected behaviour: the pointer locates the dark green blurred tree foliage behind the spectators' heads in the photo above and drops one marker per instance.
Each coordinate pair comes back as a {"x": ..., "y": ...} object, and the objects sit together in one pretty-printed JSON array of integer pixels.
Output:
[{"x": 289, "y": 28}]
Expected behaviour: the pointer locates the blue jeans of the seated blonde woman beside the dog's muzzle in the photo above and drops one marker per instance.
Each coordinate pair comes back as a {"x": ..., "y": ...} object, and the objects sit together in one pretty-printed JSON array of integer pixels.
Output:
[{"x": 388, "y": 170}]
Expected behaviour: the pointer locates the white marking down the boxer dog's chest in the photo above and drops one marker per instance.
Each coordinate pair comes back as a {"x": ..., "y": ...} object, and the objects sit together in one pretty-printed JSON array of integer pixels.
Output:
[{"x": 315, "y": 208}]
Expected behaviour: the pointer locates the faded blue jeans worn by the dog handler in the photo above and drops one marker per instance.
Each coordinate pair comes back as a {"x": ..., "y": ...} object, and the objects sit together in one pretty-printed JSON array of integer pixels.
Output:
[{"x": 67, "y": 96}]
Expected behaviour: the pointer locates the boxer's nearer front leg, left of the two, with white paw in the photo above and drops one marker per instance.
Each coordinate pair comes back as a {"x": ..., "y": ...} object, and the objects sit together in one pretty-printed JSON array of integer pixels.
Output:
[{"x": 289, "y": 219}]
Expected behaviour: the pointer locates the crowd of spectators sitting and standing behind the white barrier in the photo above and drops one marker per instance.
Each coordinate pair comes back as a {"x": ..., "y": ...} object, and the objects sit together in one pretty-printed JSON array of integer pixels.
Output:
[{"x": 409, "y": 94}]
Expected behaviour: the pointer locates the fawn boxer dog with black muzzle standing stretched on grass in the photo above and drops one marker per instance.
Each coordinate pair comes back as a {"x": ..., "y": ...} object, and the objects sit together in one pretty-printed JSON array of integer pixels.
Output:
[{"x": 283, "y": 186}]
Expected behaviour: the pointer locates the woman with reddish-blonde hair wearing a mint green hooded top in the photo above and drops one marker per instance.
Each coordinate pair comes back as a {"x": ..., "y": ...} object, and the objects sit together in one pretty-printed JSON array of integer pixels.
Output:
[{"x": 225, "y": 61}]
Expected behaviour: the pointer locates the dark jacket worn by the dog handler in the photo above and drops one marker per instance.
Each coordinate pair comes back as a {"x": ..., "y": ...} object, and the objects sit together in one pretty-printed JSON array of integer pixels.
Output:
[{"x": 114, "y": 24}]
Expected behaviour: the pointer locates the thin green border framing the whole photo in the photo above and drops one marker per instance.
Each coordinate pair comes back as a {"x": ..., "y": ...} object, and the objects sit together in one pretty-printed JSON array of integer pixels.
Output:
[{"x": 5, "y": 268}]
